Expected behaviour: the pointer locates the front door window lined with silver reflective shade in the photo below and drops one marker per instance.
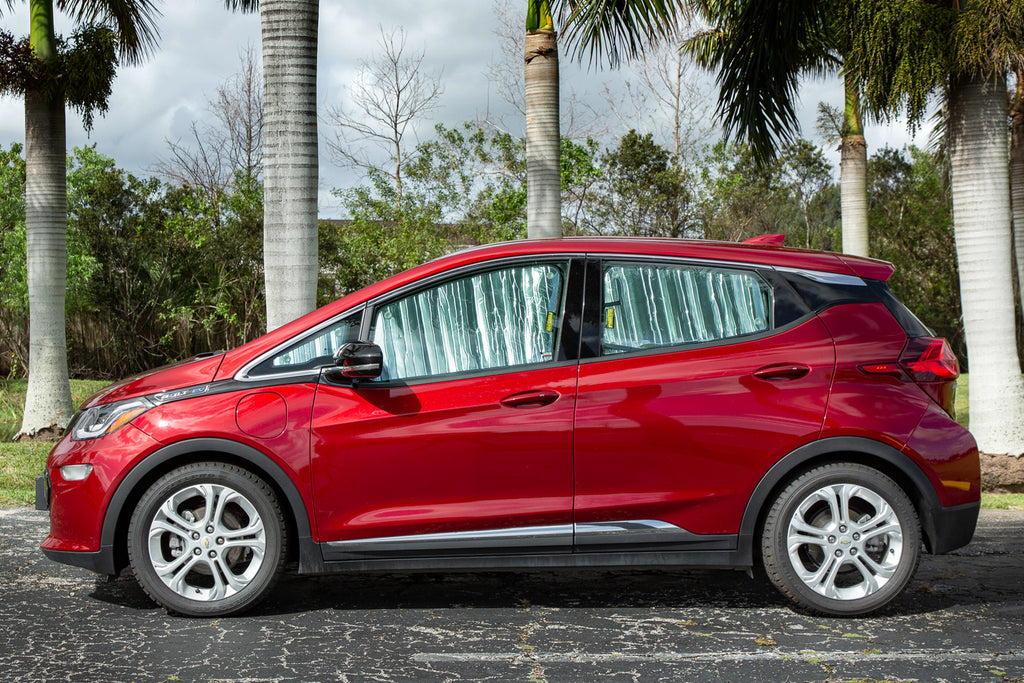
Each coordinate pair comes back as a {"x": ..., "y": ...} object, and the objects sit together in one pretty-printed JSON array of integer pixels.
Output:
[{"x": 499, "y": 319}]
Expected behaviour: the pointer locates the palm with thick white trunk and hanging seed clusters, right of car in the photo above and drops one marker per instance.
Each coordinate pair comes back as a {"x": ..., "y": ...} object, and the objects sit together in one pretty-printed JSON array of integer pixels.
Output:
[{"x": 906, "y": 53}]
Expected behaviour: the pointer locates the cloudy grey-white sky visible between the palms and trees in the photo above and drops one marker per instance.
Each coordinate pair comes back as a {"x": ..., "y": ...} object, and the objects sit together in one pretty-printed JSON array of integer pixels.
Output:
[{"x": 201, "y": 48}]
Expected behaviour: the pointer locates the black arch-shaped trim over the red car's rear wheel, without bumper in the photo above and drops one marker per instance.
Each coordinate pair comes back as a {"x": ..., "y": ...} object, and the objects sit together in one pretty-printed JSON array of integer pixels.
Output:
[{"x": 882, "y": 457}]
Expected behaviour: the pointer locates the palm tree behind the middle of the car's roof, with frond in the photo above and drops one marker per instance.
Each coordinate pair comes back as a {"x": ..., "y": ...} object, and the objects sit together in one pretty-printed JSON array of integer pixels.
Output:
[{"x": 607, "y": 29}]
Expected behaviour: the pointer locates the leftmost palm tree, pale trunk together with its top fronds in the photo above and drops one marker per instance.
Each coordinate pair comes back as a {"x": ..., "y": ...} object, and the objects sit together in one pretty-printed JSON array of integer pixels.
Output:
[{"x": 131, "y": 23}]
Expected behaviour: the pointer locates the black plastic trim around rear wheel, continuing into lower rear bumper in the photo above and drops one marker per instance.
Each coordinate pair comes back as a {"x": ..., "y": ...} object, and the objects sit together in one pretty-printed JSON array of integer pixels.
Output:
[{"x": 940, "y": 536}]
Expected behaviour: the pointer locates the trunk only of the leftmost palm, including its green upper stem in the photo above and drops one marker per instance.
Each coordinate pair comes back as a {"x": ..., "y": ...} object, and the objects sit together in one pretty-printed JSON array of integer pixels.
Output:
[{"x": 49, "y": 401}]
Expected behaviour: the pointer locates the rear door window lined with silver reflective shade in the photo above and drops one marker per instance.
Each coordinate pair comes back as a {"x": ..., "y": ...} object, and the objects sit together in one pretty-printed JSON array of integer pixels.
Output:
[{"x": 650, "y": 306}]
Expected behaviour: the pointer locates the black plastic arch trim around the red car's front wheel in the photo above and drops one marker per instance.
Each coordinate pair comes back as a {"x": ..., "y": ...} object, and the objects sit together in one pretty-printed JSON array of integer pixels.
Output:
[{"x": 111, "y": 561}]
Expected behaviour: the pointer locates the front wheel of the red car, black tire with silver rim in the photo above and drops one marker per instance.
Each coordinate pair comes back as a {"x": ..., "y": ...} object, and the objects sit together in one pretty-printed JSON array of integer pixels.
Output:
[{"x": 207, "y": 540}]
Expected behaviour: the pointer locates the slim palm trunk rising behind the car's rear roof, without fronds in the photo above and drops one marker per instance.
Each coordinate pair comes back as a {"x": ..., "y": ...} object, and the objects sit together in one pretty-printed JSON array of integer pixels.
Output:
[{"x": 854, "y": 176}]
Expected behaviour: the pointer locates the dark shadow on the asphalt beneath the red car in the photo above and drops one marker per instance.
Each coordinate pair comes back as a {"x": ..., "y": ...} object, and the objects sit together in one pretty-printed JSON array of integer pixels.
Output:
[{"x": 934, "y": 589}]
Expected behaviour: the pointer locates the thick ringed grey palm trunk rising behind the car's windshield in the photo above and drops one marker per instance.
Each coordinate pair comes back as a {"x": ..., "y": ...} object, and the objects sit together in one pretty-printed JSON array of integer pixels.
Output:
[{"x": 290, "y": 158}]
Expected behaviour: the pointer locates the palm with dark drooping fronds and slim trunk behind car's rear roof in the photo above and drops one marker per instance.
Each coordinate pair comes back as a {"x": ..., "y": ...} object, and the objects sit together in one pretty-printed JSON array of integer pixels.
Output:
[{"x": 760, "y": 50}]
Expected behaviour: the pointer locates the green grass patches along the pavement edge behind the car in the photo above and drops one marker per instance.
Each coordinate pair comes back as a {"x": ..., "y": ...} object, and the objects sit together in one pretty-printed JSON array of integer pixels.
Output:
[{"x": 22, "y": 463}]
